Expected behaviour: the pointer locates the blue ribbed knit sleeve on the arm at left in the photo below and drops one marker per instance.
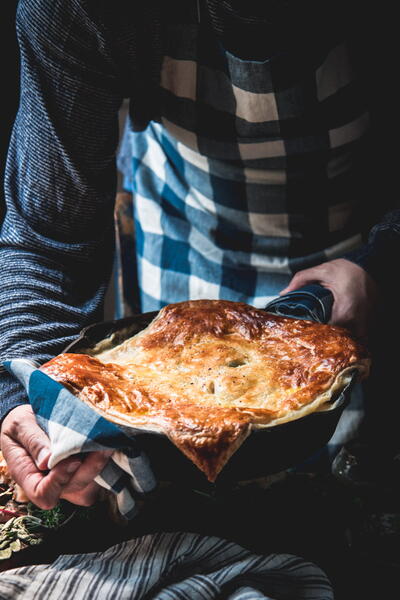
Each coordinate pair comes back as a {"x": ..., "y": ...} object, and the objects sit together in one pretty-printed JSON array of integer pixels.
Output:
[{"x": 56, "y": 243}]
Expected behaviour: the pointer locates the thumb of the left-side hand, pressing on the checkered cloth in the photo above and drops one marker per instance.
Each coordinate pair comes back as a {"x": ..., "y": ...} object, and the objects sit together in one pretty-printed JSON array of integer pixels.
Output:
[{"x": 25, "y": 431}]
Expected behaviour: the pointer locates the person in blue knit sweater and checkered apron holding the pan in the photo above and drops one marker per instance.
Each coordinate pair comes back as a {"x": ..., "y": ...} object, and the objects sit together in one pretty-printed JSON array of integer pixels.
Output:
[{"x": 250, "y": 162}]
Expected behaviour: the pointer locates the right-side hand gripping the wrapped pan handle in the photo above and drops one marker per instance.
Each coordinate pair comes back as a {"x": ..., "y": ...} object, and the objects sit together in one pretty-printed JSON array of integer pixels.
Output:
[{"x": 354, "y": 292}]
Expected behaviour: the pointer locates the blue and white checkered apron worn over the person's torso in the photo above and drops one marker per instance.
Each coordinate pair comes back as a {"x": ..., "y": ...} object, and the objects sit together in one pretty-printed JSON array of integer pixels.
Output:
[{"x": 250, "y": 174}]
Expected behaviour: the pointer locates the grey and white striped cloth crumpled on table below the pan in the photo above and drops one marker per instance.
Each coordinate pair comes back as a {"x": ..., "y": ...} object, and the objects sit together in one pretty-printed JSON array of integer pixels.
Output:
[{"x": 170, "y": 566}]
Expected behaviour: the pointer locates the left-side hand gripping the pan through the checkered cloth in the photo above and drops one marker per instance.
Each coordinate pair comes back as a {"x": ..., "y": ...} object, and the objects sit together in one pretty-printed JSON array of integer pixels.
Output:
[{"x": 26, "y": 449}]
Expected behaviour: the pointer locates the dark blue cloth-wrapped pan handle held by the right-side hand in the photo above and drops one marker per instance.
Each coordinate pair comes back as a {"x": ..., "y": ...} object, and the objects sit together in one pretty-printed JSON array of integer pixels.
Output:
[{"x": 312, "y": 302}]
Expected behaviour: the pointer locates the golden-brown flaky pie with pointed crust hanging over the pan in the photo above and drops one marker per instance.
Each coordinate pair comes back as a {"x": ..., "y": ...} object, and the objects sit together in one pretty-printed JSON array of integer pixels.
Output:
[{"x": 205, "y": 372}]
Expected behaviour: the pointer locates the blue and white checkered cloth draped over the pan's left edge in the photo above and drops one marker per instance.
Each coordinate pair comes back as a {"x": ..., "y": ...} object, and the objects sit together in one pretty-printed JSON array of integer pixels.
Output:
[{"x": 73, "y": 428}]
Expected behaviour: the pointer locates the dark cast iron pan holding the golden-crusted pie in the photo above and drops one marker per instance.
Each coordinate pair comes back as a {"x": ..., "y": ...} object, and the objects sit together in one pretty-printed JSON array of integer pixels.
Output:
[{"x": 264, "y": 452}]
